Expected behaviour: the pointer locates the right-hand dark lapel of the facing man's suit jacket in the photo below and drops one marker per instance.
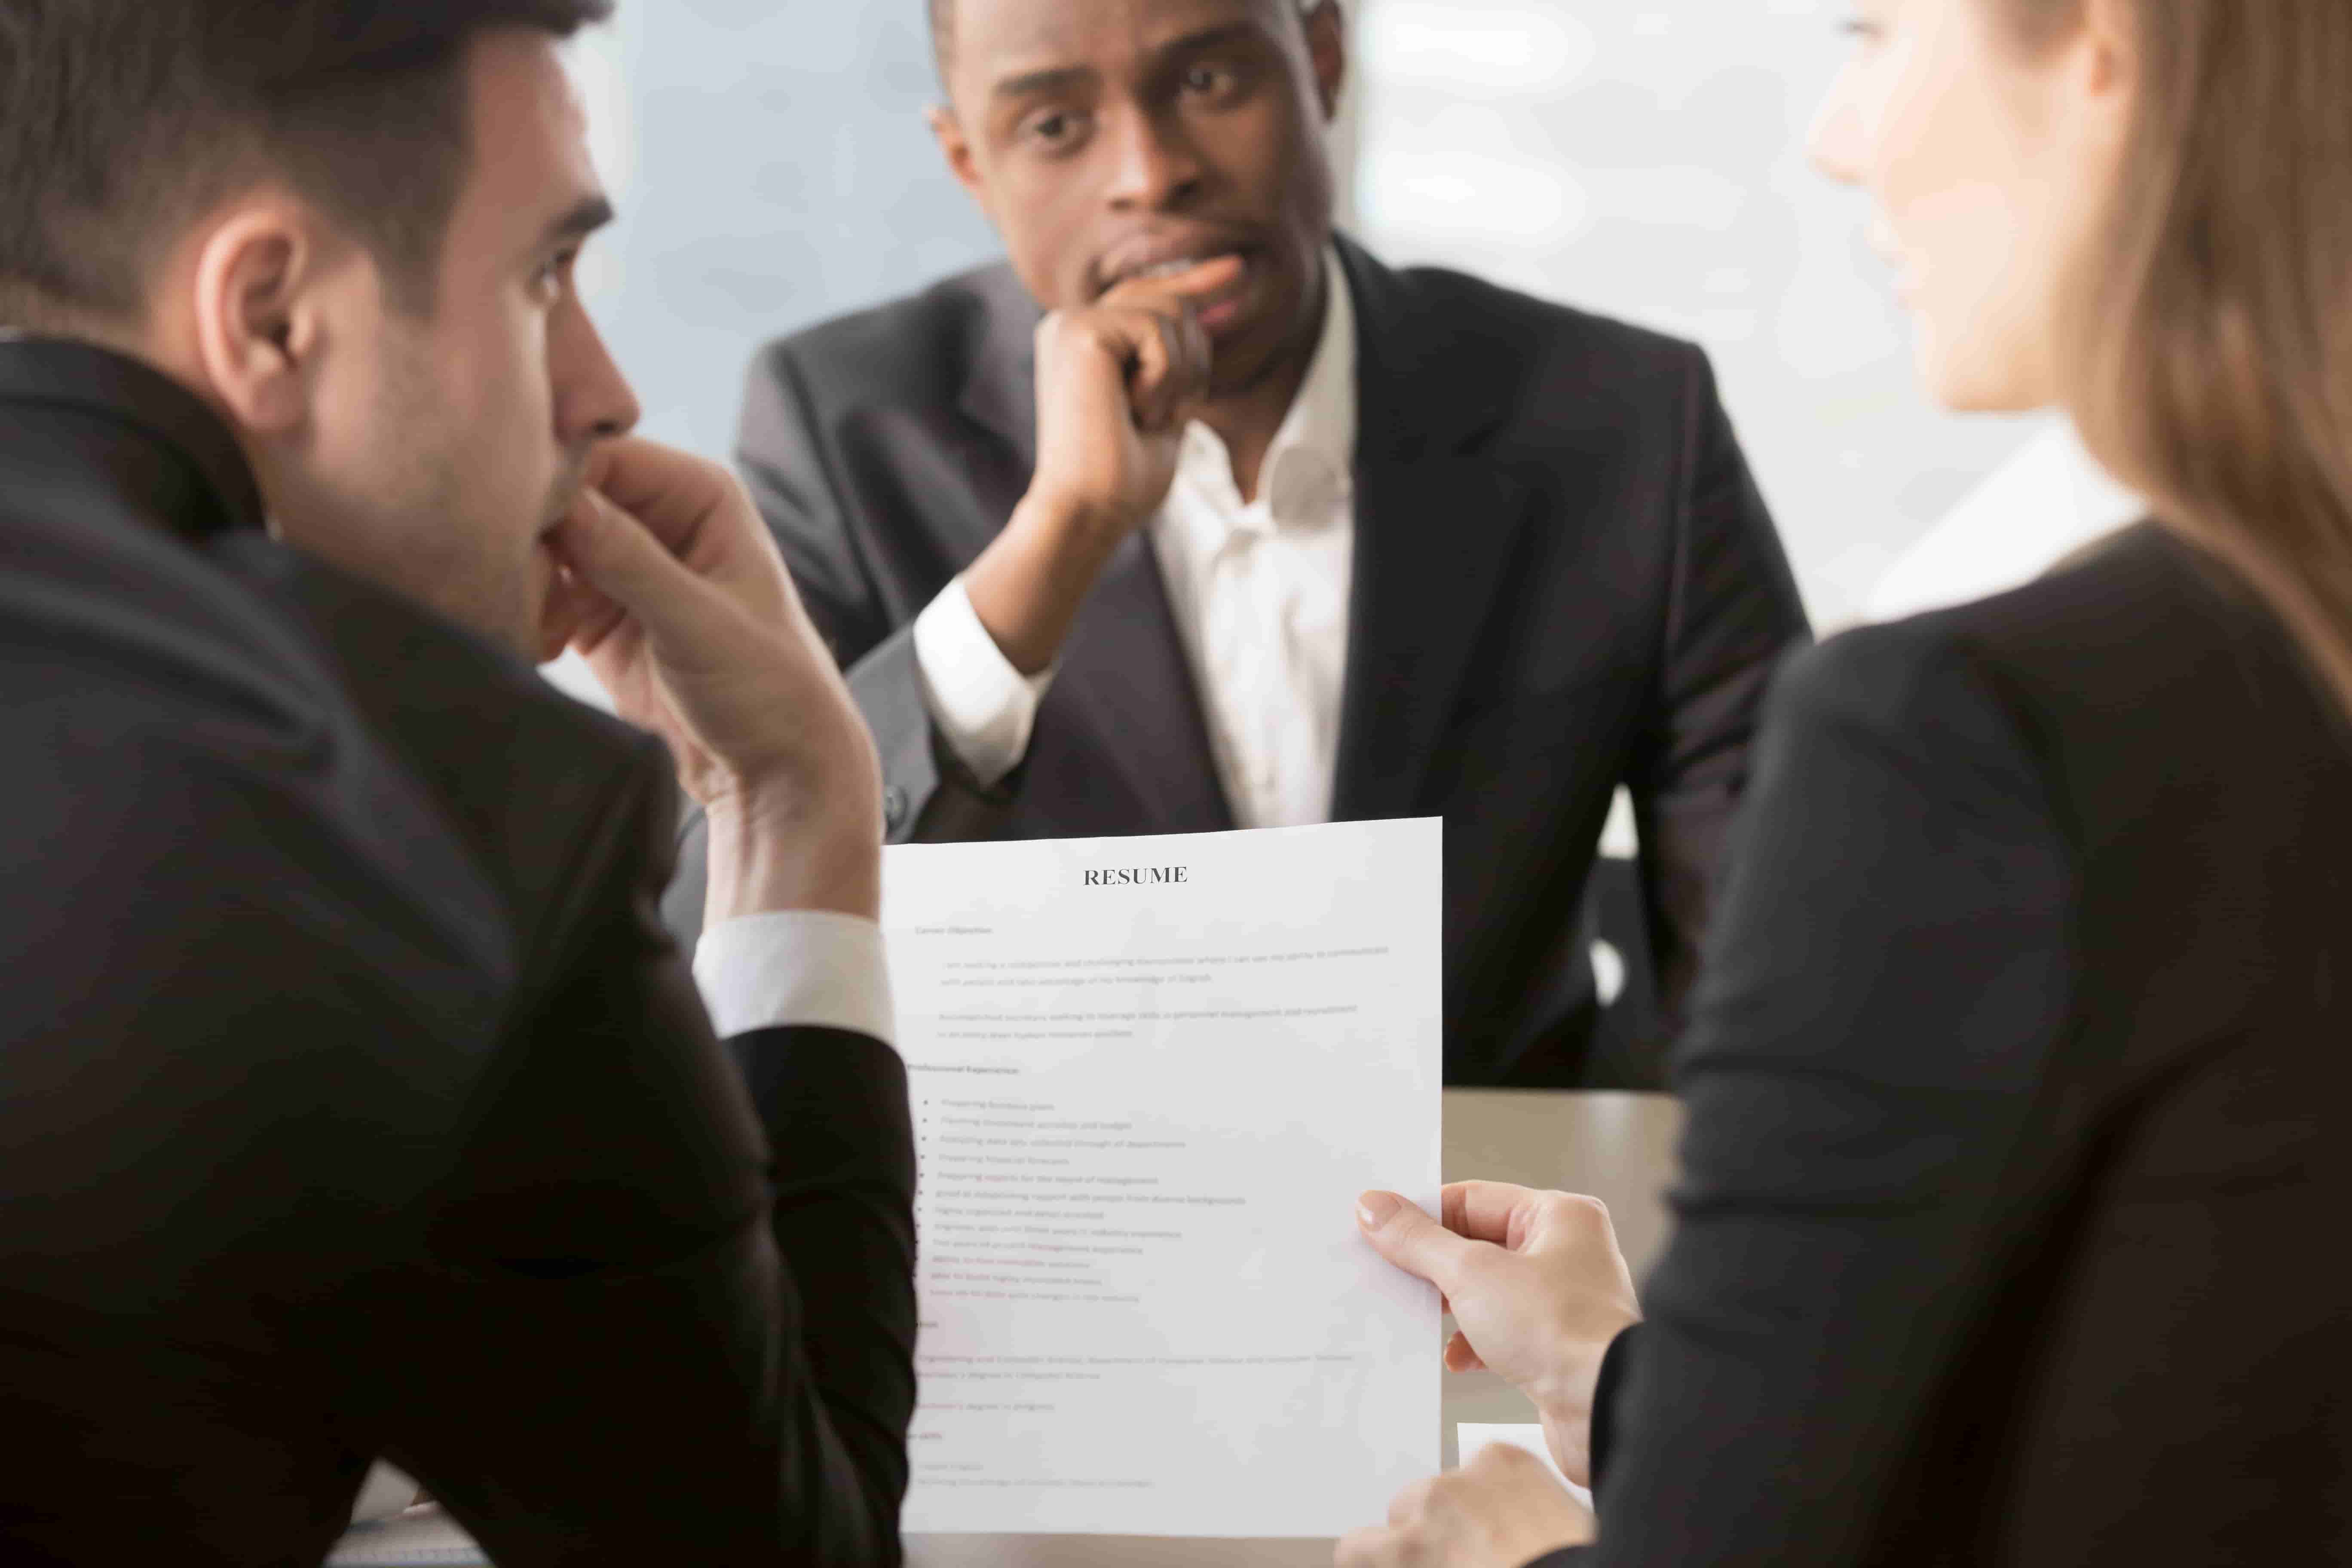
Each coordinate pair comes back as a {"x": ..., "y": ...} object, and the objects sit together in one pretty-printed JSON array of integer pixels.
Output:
[{"x": 1436, "y": 532}]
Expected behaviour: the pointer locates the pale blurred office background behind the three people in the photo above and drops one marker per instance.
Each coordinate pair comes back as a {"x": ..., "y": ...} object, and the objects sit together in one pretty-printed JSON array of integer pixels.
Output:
[{"x": 1643, "y": 159}]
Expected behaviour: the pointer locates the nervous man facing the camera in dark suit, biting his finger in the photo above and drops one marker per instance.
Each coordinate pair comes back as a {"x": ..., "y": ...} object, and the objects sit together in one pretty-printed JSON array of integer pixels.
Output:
[{"x": 1196, "y": 516}]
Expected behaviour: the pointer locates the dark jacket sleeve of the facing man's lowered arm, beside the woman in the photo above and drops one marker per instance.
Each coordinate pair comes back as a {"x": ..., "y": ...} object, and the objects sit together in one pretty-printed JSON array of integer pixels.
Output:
[{"x": 1732, "y": 612}]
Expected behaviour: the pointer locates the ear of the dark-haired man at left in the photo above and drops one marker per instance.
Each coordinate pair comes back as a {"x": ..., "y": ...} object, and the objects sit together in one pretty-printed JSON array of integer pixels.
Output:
[{"x": 262, "y": 316}]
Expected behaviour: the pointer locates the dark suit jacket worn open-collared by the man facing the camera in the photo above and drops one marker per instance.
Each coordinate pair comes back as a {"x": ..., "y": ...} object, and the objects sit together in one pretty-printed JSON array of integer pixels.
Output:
[{"x": 1565, "y": 582}]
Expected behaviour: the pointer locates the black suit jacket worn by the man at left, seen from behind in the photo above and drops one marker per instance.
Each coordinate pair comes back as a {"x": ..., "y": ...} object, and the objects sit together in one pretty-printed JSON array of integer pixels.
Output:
[{"x": 354, "y": 1099}]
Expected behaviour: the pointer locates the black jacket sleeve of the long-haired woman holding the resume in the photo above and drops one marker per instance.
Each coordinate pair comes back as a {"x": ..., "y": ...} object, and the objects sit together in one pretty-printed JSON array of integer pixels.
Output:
[{"x": 1864, "y": 1080}]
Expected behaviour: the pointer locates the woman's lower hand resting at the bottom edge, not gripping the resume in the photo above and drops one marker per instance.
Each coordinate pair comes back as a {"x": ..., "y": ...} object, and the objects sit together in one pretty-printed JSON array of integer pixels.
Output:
[{"x": 1499, "y": 1513}]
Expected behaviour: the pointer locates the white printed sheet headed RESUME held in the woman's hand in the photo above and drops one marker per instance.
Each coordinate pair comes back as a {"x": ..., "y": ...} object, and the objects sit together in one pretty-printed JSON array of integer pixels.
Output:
[{"x": 1151, "y": 1080}]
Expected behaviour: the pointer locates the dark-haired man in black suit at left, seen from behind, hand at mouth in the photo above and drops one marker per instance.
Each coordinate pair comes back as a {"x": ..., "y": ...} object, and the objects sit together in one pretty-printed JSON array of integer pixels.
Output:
[{"x": 354, "y": 1097}]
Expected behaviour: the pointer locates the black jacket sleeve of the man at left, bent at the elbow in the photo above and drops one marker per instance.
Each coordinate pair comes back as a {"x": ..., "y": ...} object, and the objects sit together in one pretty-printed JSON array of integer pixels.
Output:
[{"x": 669, "y": 1304}]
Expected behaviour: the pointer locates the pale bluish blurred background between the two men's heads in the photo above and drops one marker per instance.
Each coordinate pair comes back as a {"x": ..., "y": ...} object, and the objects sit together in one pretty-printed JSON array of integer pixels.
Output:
[{"x": 773, "y": 170}]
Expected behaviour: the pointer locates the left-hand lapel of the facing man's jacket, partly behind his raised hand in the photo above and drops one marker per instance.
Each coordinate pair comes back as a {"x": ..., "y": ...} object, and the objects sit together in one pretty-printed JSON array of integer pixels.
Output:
[{"x": 1125, "y": 678}]
